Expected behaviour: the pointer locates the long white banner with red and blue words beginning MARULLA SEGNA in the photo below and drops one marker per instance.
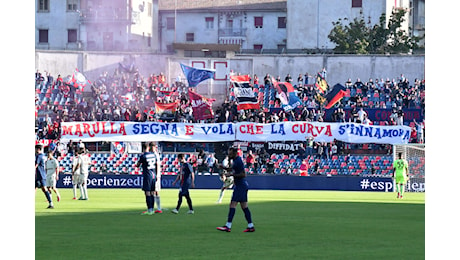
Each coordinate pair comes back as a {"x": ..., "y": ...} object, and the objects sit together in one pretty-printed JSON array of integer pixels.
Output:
[{"x": 242, "y": 131}]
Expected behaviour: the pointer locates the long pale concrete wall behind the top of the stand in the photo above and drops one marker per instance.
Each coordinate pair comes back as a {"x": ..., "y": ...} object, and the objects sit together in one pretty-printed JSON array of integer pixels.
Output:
[{"x": 339, "y": 67}]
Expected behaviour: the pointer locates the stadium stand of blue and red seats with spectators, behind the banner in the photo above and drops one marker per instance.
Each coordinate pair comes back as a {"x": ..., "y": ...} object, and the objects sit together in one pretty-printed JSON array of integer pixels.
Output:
[{"x": 127, "y": 96}]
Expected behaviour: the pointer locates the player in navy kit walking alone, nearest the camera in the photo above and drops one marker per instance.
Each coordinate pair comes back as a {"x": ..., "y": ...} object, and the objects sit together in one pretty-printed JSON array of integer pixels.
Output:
[{"x": 240, "y": 191}]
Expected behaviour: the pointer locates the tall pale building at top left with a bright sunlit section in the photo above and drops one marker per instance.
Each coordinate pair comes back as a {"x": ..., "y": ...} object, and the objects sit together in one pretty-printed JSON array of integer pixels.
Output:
[{"x": 97, "y": 25}]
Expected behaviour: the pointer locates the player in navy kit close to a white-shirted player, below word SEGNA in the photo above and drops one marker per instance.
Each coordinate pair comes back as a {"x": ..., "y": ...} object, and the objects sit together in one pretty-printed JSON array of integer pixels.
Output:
[{"x": 150, "y": 163}]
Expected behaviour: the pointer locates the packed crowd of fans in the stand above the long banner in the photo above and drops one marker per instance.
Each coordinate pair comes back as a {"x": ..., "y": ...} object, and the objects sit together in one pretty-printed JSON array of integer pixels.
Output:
[{"x": 129, "y": 96}]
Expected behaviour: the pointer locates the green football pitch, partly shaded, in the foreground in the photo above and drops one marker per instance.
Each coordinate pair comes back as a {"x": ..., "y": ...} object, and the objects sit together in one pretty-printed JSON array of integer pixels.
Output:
[{"x": 289, "y": 225}]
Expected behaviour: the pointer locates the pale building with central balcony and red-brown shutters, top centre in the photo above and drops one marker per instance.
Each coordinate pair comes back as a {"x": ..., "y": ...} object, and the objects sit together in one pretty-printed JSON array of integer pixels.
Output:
[{"x": 254, "y": 26}]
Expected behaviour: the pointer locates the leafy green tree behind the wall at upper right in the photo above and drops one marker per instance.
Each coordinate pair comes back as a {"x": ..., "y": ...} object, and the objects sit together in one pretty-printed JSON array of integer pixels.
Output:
[{"x": 358, "y": 38}]
